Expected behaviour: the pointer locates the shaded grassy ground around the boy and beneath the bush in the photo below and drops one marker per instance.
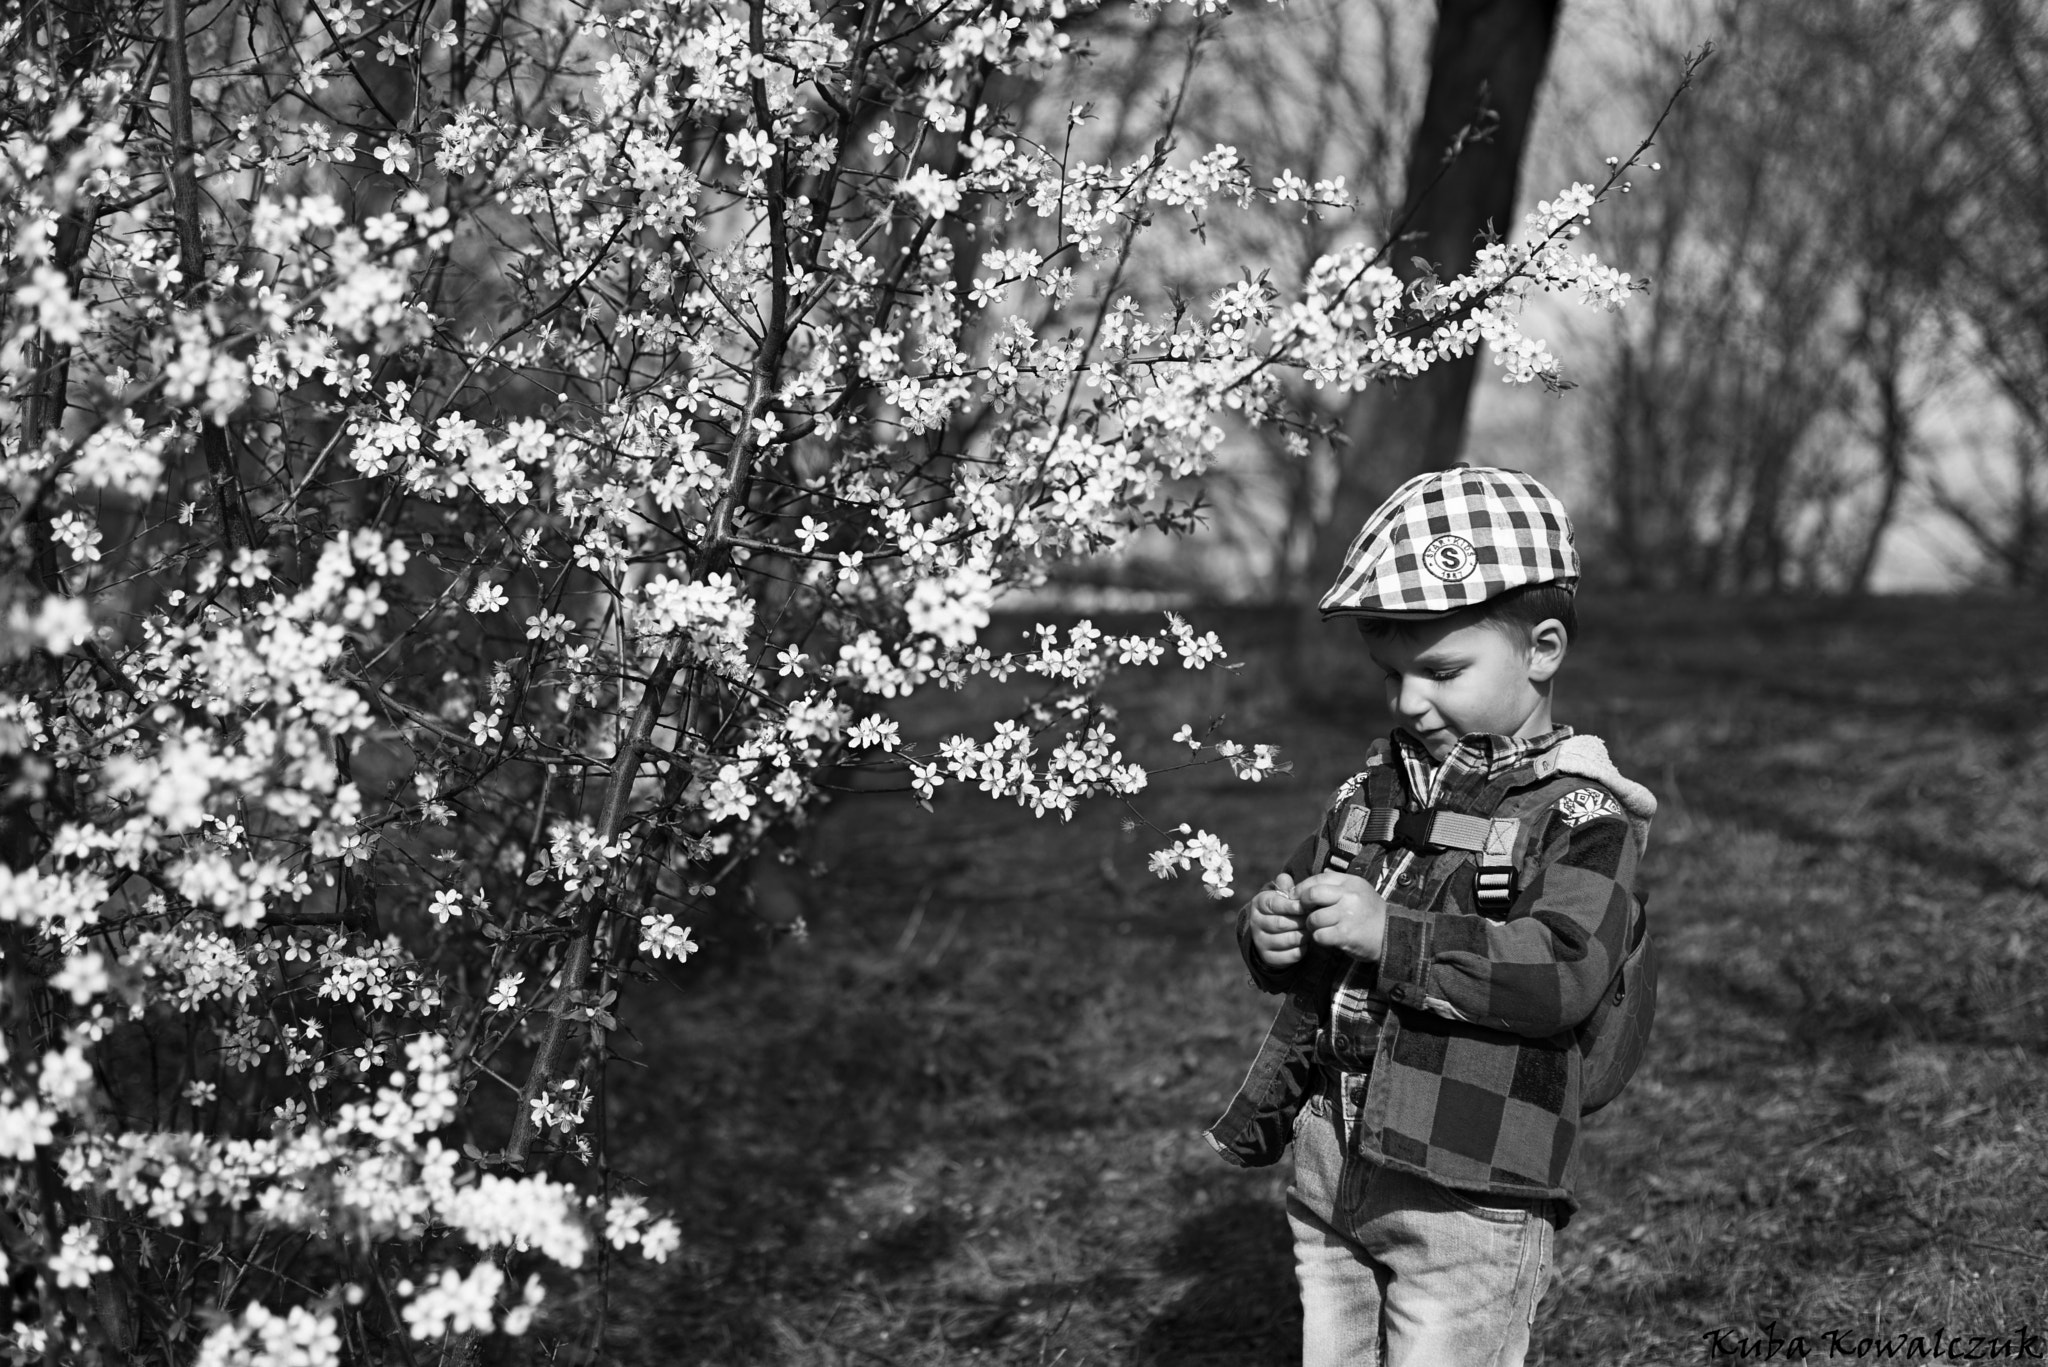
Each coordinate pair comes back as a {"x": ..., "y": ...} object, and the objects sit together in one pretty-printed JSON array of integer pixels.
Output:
[{"x": 959, "y": 1124}]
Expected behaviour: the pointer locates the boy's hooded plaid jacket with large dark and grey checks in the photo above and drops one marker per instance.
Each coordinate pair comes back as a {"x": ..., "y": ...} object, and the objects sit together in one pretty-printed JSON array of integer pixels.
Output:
[{"x": 1476, "y": 1073}]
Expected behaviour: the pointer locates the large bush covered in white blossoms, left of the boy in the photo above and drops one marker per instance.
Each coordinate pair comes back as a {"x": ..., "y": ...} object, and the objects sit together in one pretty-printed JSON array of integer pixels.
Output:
[{"x": 472, "y": 481}]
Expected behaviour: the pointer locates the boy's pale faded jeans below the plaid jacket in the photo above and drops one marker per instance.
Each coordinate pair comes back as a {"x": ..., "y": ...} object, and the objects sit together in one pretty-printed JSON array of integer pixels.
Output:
[{"x": 1398, "y": 1272}]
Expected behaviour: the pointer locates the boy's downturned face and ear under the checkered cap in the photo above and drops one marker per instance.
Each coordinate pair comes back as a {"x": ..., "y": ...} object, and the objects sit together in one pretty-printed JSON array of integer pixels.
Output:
[{"x": 1447, "y": 679}]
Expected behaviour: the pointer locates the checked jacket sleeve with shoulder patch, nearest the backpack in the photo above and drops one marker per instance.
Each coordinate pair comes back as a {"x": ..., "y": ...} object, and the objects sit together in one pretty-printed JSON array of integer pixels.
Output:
[{"x": 1543, "y": 968}]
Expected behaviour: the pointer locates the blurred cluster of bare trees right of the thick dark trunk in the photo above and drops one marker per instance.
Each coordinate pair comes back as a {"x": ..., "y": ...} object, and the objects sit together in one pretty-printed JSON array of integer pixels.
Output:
[{"x": 1836, "y": 341}]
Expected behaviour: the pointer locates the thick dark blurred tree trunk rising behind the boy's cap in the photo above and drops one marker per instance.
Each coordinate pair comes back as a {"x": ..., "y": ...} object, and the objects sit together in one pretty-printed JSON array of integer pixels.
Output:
[{"x": 1486, "y": 65}]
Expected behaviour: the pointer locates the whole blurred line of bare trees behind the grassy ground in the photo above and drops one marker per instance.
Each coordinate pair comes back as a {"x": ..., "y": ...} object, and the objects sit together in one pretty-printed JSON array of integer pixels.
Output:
[{"x": 1848, "y": 247}]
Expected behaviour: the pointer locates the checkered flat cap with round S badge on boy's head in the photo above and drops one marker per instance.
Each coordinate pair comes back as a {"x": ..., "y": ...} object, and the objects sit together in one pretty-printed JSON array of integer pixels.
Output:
[{"x": 1451, "y": 540}]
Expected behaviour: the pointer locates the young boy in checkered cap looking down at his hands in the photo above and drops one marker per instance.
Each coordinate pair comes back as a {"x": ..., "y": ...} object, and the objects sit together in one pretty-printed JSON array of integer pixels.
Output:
[{"x": 1441, "y": 944}]
